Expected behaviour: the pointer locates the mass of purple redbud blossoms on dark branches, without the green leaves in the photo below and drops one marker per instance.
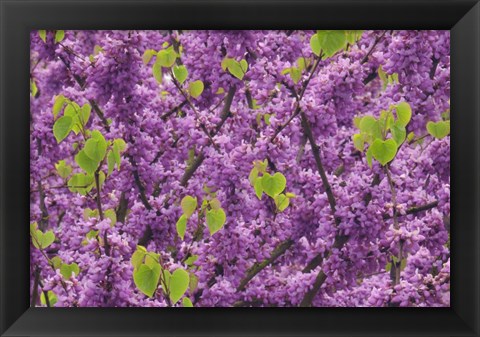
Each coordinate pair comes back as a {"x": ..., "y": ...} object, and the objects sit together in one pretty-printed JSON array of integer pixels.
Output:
[{"x": 176, "y": 145}]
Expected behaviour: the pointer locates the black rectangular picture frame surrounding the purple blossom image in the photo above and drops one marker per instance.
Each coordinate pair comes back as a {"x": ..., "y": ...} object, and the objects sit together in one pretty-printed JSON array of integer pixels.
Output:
[{"x": 18, "y": 17}]
